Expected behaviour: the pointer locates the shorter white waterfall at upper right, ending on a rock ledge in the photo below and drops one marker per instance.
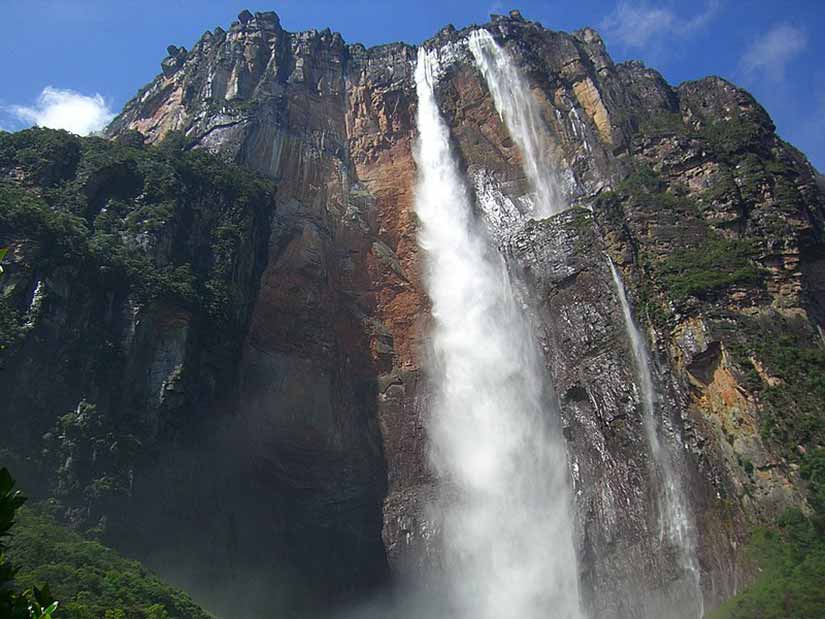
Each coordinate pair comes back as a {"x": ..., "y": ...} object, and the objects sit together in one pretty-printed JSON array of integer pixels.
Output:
[{"x": 520, "y": 113}]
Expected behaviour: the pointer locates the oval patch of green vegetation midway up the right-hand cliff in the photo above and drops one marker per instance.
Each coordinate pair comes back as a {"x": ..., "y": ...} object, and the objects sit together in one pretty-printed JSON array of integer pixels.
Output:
[{"x": 711, "y": 266}]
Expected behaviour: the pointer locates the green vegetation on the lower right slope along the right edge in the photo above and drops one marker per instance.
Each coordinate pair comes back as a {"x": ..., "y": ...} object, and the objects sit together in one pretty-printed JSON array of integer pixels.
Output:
[{"x": 785, "y": 367}]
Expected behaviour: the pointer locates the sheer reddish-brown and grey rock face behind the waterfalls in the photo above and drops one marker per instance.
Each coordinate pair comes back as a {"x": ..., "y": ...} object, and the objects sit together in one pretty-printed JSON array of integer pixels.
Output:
[{"x": 332, "y": 375}]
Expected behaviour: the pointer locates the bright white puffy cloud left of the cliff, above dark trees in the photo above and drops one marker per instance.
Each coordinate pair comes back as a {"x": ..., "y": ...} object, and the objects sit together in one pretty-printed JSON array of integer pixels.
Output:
[{"x": 66, "y": 109}]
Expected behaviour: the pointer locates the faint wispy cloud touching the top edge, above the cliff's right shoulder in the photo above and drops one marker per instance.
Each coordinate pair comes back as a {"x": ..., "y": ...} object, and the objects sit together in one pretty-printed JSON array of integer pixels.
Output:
[{"x": 638, "y": 24}]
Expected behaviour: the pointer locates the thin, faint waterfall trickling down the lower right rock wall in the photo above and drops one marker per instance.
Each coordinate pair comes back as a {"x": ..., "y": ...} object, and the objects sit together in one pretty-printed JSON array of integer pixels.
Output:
[{"x": 674, "y": 517}]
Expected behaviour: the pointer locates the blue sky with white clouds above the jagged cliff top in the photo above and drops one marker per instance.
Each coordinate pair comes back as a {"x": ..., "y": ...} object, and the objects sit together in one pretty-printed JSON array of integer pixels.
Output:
[{"x": 73, "y": 64}]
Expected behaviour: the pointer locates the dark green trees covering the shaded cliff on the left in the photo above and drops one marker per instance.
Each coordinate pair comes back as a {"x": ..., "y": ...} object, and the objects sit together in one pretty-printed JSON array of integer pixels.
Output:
[{"x": 121, "y": 230}]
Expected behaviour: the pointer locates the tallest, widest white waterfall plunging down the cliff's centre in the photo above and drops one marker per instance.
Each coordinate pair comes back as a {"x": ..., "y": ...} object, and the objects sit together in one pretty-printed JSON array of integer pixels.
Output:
[{"x": 506, "y": 505}]
